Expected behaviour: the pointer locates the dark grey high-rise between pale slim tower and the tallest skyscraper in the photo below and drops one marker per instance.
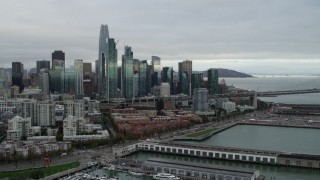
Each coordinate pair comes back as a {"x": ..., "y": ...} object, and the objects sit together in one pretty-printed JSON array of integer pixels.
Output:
[{"x": 87, "y": 78}]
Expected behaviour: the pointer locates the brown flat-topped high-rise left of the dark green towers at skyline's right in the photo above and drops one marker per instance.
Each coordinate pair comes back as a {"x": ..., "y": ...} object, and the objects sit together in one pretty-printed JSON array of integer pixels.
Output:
[{"x": 185, "y": 70}]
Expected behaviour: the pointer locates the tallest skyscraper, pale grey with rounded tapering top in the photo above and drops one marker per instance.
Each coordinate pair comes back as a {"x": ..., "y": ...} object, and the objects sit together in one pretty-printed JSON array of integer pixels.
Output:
[{"x": 103, "y": 53}]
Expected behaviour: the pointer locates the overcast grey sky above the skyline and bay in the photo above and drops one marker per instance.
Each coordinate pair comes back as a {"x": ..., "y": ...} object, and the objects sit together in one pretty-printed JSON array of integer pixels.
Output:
[{"x": 253, "y": 36}]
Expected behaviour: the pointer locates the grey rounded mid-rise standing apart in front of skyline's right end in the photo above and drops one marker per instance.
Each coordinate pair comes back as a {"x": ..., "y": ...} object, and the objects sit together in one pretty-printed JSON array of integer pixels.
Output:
[{"x": 200, "y": 100}]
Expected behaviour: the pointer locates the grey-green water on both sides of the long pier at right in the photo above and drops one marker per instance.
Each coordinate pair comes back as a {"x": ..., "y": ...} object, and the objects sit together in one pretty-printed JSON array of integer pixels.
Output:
[{"x": 300, "y": 140}]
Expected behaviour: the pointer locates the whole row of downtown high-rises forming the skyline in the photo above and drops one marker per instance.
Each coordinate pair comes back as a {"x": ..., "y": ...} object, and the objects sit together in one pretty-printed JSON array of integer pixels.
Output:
[{"x": 134, "y": 78}]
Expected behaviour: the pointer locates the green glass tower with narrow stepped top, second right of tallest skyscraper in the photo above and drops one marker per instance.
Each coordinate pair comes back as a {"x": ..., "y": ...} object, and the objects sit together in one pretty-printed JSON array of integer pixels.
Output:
[{"x": 127, "y": 73}]
